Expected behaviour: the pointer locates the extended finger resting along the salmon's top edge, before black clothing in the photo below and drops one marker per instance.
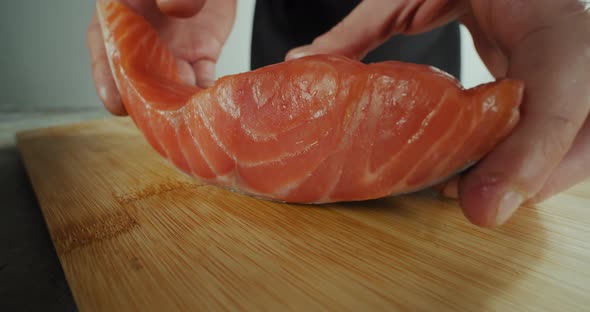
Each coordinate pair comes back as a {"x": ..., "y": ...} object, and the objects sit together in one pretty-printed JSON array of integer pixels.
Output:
[{"x": 374, "y": 21}]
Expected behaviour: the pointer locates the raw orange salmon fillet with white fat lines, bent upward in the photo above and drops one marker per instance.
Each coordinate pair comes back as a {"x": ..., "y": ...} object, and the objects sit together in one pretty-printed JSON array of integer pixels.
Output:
[{"x": 313, "y": 130}]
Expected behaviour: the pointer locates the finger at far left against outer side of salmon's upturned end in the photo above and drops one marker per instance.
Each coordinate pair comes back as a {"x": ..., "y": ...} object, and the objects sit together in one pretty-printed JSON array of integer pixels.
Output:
[{"x": 101, "y": 71}]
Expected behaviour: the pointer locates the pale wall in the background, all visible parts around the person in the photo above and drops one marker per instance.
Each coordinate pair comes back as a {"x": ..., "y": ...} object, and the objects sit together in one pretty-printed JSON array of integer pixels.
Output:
[{"x": 44, "y": 63}]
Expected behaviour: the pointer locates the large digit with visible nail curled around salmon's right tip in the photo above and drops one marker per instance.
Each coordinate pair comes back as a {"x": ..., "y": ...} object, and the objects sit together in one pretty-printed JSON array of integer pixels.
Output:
[{"x": 554, "y": 109}]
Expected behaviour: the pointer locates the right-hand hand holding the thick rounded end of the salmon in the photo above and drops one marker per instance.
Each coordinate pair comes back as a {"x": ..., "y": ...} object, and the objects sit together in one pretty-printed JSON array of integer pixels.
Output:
[{"x": 546, "y": 44}]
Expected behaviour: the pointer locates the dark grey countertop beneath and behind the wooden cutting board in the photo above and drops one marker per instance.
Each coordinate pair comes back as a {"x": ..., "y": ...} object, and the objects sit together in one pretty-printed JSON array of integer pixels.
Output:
[{"x": 31, "y": 277}]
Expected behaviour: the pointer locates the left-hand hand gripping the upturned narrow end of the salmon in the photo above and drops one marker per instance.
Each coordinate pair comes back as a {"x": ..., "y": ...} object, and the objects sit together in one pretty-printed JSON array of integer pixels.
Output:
[{"x": 194, "y": 30}]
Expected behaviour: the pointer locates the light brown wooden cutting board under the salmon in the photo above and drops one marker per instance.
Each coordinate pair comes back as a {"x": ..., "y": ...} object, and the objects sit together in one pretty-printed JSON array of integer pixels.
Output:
[{"x": 132, "y": 233}]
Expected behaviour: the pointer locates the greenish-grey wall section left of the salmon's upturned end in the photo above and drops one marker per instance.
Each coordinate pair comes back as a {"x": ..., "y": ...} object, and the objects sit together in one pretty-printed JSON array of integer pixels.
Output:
[{"x": 44, "y": 62}]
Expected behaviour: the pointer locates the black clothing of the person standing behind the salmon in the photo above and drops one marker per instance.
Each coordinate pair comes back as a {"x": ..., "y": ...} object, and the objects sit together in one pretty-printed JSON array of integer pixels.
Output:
[{"x": 280, "y": 25}]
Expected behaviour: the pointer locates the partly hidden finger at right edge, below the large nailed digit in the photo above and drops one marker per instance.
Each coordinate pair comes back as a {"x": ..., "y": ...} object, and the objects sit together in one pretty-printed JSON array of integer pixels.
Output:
[{"x": 573, "y": 169}]
